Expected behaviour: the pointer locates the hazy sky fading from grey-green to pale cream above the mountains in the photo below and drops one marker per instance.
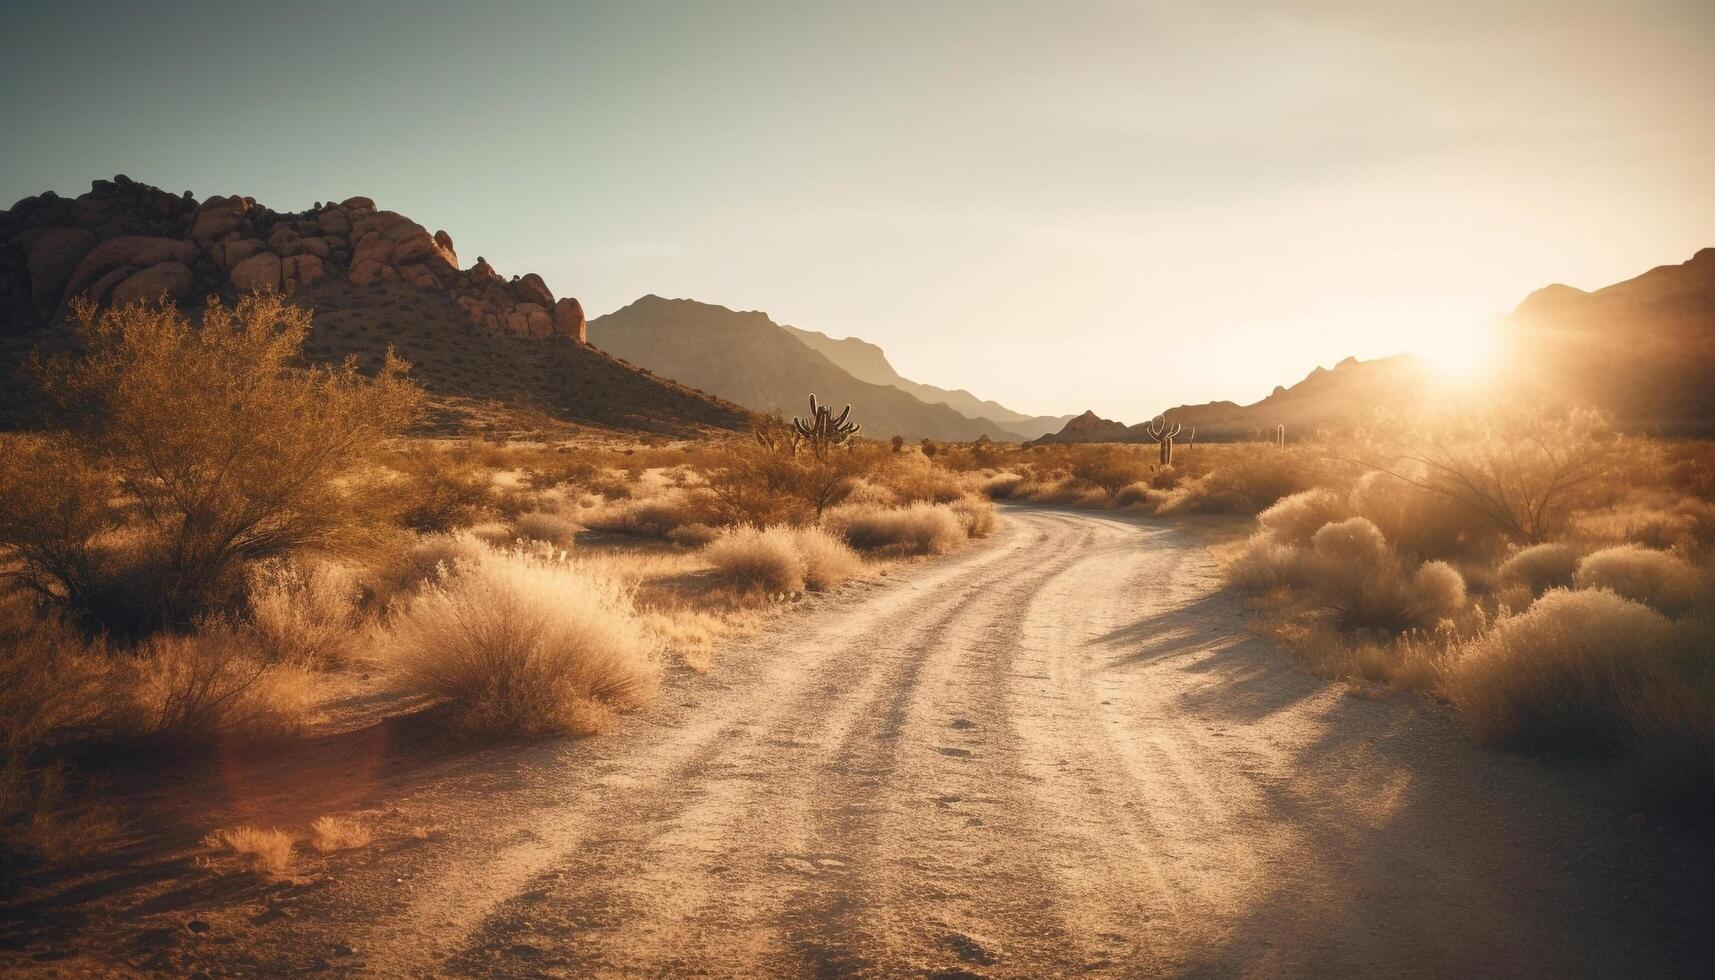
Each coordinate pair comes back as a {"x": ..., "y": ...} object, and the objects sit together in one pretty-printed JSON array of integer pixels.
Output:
[{"x": 1062, "y": 207}]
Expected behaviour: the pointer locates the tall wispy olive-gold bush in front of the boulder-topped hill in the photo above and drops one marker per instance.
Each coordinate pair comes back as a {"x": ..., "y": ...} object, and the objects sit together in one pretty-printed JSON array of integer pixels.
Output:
[{"x": 219, "y": 481}]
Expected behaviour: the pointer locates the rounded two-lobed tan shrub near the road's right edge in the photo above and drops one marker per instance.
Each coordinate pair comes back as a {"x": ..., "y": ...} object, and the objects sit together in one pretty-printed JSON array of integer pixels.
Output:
[{"x": 1352, "y": 572}]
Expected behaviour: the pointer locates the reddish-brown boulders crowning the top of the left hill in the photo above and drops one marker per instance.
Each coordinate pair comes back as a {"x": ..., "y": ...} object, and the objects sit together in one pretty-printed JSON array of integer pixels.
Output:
[{"x": 129, "y": 243}]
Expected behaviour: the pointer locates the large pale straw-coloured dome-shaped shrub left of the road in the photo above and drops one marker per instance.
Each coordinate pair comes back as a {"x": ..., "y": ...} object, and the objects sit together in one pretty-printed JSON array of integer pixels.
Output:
[{"x": 521, "y": 643}]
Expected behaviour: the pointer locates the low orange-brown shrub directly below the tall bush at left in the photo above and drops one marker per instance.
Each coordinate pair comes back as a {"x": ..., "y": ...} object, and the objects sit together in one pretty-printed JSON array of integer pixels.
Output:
[{"x": 210, "y": 686}]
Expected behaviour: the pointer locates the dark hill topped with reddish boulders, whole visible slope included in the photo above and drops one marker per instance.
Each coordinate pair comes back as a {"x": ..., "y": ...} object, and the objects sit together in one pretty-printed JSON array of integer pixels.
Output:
[{"x": 373, "y": 277}]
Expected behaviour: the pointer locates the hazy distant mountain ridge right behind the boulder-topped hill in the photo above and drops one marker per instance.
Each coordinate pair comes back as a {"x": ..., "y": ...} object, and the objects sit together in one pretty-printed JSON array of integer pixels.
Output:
[{"x": 754, "y": 361}]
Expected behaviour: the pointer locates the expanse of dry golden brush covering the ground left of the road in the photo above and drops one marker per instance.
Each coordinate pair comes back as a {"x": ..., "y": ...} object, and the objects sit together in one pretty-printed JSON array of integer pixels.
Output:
[{"x": 210, "y": 536}]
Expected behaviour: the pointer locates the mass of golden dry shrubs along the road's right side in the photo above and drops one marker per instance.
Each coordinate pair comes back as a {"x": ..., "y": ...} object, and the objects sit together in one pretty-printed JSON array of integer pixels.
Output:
[{"x": 1551, "y": 579}]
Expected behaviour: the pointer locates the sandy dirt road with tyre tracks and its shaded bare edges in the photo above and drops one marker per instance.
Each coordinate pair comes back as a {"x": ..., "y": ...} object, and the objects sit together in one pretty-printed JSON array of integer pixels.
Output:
[{"x": 1061, "y": 753}]
